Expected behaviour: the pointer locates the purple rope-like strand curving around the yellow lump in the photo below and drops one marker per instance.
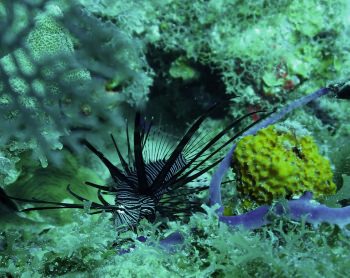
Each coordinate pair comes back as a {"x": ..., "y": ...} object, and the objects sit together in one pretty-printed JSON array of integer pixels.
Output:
[{"x": 297, "y": 209}]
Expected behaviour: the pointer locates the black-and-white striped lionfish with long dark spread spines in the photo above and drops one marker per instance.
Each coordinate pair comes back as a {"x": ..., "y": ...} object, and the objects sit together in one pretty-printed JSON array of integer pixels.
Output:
[{"x": 155, "y": 178}]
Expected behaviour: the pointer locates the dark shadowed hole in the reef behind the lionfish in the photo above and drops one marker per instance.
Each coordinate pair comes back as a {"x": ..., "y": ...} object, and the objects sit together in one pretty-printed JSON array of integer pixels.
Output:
[{"x": 179, "y": 101}]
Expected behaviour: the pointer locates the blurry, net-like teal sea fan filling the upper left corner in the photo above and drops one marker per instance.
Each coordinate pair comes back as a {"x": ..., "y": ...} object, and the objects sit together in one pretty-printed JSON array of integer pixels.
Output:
[{"x": 54, "y": 68}]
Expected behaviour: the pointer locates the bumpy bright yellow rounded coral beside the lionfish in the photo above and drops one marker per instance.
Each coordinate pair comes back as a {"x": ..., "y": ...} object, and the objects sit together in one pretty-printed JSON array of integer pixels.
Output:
[{"x": 275, "y": 163}]
